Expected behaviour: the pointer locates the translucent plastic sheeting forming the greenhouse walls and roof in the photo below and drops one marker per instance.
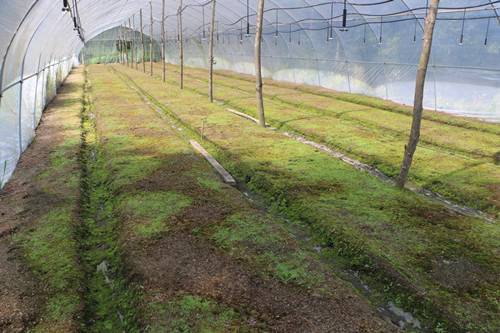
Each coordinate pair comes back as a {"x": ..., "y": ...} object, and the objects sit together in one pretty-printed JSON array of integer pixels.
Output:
[{"x": 303, "y": 42}]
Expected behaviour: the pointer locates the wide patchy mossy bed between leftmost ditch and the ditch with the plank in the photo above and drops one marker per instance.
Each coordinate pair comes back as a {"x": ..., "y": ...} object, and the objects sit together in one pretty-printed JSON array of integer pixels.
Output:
[{"x": 174, "y": 215}]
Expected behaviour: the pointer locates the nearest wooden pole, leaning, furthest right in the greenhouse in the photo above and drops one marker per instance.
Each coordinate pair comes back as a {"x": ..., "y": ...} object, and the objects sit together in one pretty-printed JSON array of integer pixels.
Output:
[{"x": 410, "y": 148}]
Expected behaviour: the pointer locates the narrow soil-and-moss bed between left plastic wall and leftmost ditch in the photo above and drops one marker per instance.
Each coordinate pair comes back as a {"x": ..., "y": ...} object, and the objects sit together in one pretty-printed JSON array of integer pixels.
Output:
[{"x": 40, "y": 276}]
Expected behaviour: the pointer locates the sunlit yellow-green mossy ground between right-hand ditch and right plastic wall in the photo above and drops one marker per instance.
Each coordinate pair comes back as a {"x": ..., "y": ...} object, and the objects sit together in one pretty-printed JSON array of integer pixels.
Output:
[{"x": 456, "y": 157}]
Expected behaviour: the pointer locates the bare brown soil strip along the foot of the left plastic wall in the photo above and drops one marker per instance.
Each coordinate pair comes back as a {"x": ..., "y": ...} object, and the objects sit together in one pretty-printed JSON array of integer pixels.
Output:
[{"x": 23, "y": 200}]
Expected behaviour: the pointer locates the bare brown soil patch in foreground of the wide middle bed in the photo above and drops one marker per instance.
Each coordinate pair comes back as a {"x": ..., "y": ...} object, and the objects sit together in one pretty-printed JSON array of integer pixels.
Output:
[{"x": 181, "y": 262}]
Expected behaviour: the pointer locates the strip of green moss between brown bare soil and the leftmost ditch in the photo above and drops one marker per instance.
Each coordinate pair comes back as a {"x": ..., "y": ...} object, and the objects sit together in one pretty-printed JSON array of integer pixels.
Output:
[{"x": 50, "y": 243}]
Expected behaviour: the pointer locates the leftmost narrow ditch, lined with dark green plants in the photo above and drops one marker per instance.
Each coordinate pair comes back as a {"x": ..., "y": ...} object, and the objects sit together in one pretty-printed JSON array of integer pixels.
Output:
[{"x": 110, "y": 296}]
